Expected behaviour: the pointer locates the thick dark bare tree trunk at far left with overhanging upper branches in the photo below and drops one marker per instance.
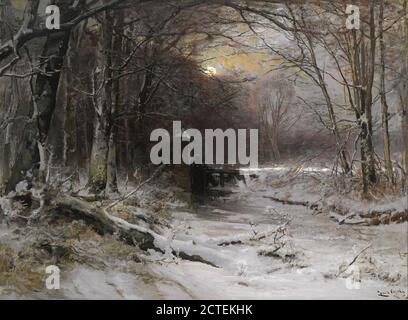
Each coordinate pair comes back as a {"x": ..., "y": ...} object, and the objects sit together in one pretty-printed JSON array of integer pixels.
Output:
[{"x": 45, "y": 75}]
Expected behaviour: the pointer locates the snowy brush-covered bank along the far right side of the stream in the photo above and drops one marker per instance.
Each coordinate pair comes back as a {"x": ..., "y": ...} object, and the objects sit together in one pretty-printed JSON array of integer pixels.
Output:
[{"x": 339, "y": 197}]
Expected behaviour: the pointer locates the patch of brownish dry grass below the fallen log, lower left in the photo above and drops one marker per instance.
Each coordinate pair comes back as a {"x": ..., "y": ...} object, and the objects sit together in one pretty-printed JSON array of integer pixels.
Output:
[{"x": 22, "y": 271}]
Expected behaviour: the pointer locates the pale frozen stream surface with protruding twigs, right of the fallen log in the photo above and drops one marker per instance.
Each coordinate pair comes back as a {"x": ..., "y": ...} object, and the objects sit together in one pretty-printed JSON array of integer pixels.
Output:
[{"x": 308, "y": 266}]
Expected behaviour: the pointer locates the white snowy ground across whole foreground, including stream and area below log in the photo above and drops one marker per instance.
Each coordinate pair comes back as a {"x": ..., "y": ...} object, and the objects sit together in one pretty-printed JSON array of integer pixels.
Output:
[{"x": 270, "y": 251}]
